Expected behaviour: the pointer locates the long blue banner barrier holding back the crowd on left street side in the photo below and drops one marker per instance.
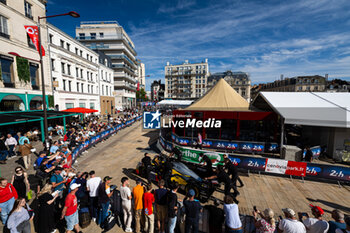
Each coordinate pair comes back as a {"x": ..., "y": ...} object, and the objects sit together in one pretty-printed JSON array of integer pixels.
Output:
[{"x": 96, "y": 139}]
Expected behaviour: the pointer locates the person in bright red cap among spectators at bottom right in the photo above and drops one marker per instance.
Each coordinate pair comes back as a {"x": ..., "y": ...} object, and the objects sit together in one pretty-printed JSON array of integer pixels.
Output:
[{"x": 316, "y": 224}]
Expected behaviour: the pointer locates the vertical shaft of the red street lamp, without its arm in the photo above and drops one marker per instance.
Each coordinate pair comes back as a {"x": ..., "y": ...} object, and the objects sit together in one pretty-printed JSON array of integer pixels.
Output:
[{"x": 46, "y": 142}]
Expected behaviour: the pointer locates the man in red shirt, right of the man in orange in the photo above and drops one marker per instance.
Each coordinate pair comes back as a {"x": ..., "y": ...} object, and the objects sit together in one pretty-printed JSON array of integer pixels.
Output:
[{"x": 148, "y": 200}]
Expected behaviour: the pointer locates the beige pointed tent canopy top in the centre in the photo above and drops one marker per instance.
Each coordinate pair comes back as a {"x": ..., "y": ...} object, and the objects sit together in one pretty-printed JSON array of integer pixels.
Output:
[{"x": 221, "y": 97}]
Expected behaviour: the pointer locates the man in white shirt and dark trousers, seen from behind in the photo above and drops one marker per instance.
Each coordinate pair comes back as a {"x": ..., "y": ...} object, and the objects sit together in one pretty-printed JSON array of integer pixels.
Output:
[{"x": 92, "y": 186}]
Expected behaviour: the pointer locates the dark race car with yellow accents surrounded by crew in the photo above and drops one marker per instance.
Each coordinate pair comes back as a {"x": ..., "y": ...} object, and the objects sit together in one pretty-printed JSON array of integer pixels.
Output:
[{"x": 185, "y": 177}]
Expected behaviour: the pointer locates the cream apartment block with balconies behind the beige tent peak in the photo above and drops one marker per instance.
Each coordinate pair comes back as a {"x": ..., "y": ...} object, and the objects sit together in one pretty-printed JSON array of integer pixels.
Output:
[{"x": 187, "y": 80}]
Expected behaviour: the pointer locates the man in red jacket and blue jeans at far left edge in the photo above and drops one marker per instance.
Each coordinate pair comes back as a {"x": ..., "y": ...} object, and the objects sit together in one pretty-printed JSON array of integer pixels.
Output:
[{"x": 8, "y": 194}]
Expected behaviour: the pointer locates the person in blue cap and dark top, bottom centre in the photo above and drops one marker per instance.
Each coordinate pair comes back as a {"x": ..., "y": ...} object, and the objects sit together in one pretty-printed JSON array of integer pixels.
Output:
[{"x": 192, "y": 210}]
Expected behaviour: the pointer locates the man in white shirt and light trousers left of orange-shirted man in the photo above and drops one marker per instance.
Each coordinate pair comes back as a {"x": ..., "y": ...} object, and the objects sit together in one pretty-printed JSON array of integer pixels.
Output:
[{"x": 125, "y": 194}]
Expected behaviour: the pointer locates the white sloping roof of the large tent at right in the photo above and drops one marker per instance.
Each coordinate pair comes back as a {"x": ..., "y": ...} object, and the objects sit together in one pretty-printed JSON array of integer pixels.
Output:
[{"x": 311, "y": 108}]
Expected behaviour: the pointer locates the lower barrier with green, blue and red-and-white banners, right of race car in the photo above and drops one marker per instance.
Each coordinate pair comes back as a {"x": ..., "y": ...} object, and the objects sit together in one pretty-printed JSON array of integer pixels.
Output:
[{"x": 268, "y": 165}]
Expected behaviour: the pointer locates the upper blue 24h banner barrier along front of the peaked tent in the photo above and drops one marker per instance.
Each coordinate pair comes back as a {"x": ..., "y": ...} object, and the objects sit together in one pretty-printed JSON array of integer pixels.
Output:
[{"x": 234, "y": 146}]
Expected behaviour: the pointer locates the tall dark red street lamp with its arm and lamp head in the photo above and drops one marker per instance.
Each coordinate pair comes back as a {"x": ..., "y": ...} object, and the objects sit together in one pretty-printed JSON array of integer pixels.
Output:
[{"x": 75, "y": 15}]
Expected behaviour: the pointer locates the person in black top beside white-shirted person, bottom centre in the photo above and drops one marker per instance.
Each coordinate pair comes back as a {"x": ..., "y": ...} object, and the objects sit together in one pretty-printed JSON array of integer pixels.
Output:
[{"x": 216, "y": 217}]
